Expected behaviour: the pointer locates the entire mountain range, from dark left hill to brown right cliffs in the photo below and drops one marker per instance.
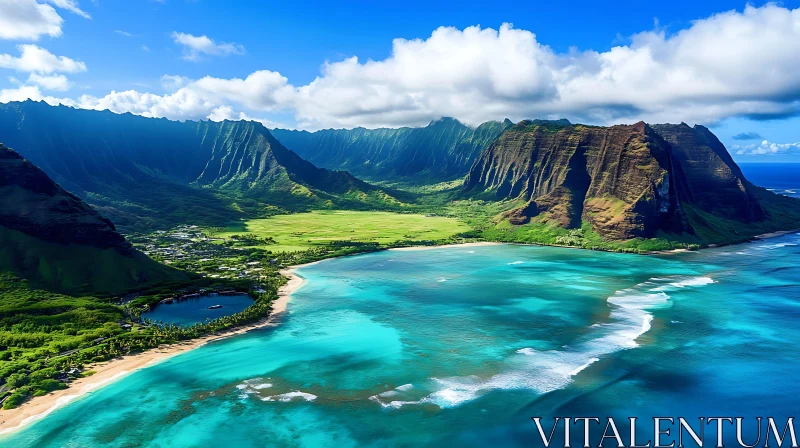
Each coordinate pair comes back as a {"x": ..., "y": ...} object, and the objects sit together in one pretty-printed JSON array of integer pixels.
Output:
[{"x": 618, "y": 184}]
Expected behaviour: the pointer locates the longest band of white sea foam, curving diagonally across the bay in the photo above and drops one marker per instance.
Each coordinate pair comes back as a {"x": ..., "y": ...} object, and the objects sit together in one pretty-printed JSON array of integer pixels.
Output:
[{"x": 545, "y": 371}]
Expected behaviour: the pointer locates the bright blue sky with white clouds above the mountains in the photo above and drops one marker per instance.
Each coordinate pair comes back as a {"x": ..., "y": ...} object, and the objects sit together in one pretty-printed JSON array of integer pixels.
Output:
[{"x": 731, "y": 66}]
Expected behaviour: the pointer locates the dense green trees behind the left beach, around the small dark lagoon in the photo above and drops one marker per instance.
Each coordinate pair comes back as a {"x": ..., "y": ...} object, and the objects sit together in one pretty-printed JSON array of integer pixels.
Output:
[{"x": 43, "y": 335}]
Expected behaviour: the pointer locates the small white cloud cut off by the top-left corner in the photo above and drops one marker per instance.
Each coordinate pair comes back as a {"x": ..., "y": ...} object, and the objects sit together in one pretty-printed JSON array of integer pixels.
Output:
[{"x": 28, "y": 19}]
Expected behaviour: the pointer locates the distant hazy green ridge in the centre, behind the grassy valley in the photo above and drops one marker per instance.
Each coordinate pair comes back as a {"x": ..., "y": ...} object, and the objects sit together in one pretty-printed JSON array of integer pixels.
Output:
[{"x": 442, "y": 151}]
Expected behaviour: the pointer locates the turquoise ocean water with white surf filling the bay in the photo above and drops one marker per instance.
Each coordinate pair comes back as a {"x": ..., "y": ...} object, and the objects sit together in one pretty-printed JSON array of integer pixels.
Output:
[{"x": 462, "y": 346}]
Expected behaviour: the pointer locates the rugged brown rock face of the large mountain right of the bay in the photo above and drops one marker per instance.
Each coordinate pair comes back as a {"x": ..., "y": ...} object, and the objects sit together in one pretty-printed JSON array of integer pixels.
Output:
[{"x": 627, "y": 181}]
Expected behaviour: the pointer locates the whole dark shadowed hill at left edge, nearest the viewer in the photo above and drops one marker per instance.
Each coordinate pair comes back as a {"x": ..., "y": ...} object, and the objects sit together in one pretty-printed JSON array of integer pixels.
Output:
[{"x": 58, "y": 242}]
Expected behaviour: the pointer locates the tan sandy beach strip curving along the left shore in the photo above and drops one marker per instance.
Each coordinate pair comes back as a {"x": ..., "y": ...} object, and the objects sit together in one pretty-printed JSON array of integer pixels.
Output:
[{"x": 112, "y": 370}]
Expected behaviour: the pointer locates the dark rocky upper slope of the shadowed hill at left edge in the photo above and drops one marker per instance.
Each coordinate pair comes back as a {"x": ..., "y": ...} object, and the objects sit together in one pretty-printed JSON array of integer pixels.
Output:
[{"x": 30, "y": 202}]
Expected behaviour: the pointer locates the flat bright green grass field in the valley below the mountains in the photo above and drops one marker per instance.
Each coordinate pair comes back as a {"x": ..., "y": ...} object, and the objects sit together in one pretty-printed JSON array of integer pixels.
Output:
[{"x": 302, "y": 231}]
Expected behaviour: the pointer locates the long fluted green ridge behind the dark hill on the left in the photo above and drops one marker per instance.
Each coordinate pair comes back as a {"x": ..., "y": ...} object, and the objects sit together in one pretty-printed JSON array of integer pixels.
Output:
[{"x": 148, "y": 172}]
